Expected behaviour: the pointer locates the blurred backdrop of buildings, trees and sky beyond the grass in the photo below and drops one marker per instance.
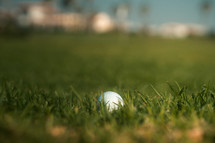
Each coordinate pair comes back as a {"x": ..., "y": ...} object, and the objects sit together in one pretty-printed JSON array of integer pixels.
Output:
[{"x": 167, "y": 18}]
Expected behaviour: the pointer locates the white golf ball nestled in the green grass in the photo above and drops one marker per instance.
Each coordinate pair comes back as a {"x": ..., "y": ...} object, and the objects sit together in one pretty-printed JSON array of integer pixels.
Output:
[{"x": 112, "y": 100}]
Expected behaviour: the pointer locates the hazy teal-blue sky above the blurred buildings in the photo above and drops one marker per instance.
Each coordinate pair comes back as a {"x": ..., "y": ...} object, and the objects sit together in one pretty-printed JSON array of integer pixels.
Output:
[{"x": 161, "y": 11}]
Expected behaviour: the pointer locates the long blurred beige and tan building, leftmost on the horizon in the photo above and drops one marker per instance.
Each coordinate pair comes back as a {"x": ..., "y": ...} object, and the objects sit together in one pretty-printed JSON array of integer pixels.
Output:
[{"x": 46, "y": 15}]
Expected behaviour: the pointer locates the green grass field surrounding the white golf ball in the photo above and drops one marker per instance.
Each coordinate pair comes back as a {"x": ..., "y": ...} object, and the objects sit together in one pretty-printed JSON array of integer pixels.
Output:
[{"x": 49, "y": 85}]
